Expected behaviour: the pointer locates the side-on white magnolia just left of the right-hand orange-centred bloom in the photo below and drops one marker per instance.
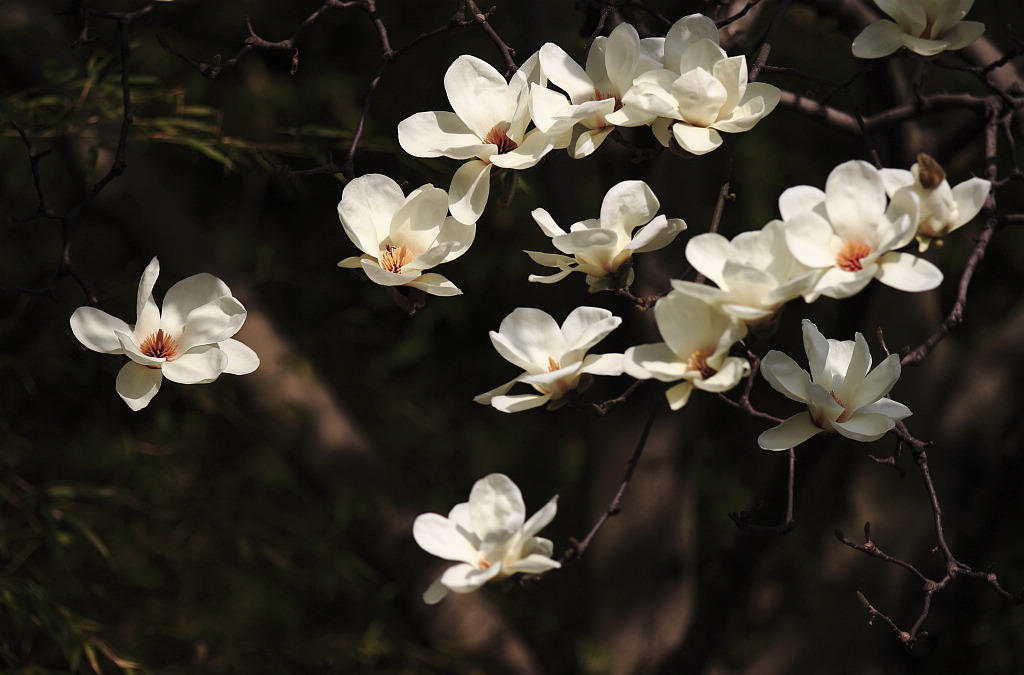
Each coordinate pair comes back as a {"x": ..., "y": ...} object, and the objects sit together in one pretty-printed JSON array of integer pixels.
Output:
[{"x": 756, "y": 273}]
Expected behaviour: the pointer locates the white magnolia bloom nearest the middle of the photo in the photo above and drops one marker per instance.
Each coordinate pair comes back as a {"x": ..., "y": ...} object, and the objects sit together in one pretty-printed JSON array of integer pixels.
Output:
[{"x": 554, "y": 359}]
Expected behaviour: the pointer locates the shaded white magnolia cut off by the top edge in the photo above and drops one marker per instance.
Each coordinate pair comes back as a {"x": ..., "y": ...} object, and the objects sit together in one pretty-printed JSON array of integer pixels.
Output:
[{"x": 926, "y": 27}]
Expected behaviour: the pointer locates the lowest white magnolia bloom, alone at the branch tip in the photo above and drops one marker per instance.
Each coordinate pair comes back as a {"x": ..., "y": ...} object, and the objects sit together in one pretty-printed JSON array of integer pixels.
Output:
[{"x": 488, "y": 536}]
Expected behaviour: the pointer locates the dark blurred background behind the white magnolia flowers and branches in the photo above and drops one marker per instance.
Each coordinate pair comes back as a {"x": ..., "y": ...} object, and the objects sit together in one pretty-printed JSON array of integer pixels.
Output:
[{"x": 263, "y": 524}]
